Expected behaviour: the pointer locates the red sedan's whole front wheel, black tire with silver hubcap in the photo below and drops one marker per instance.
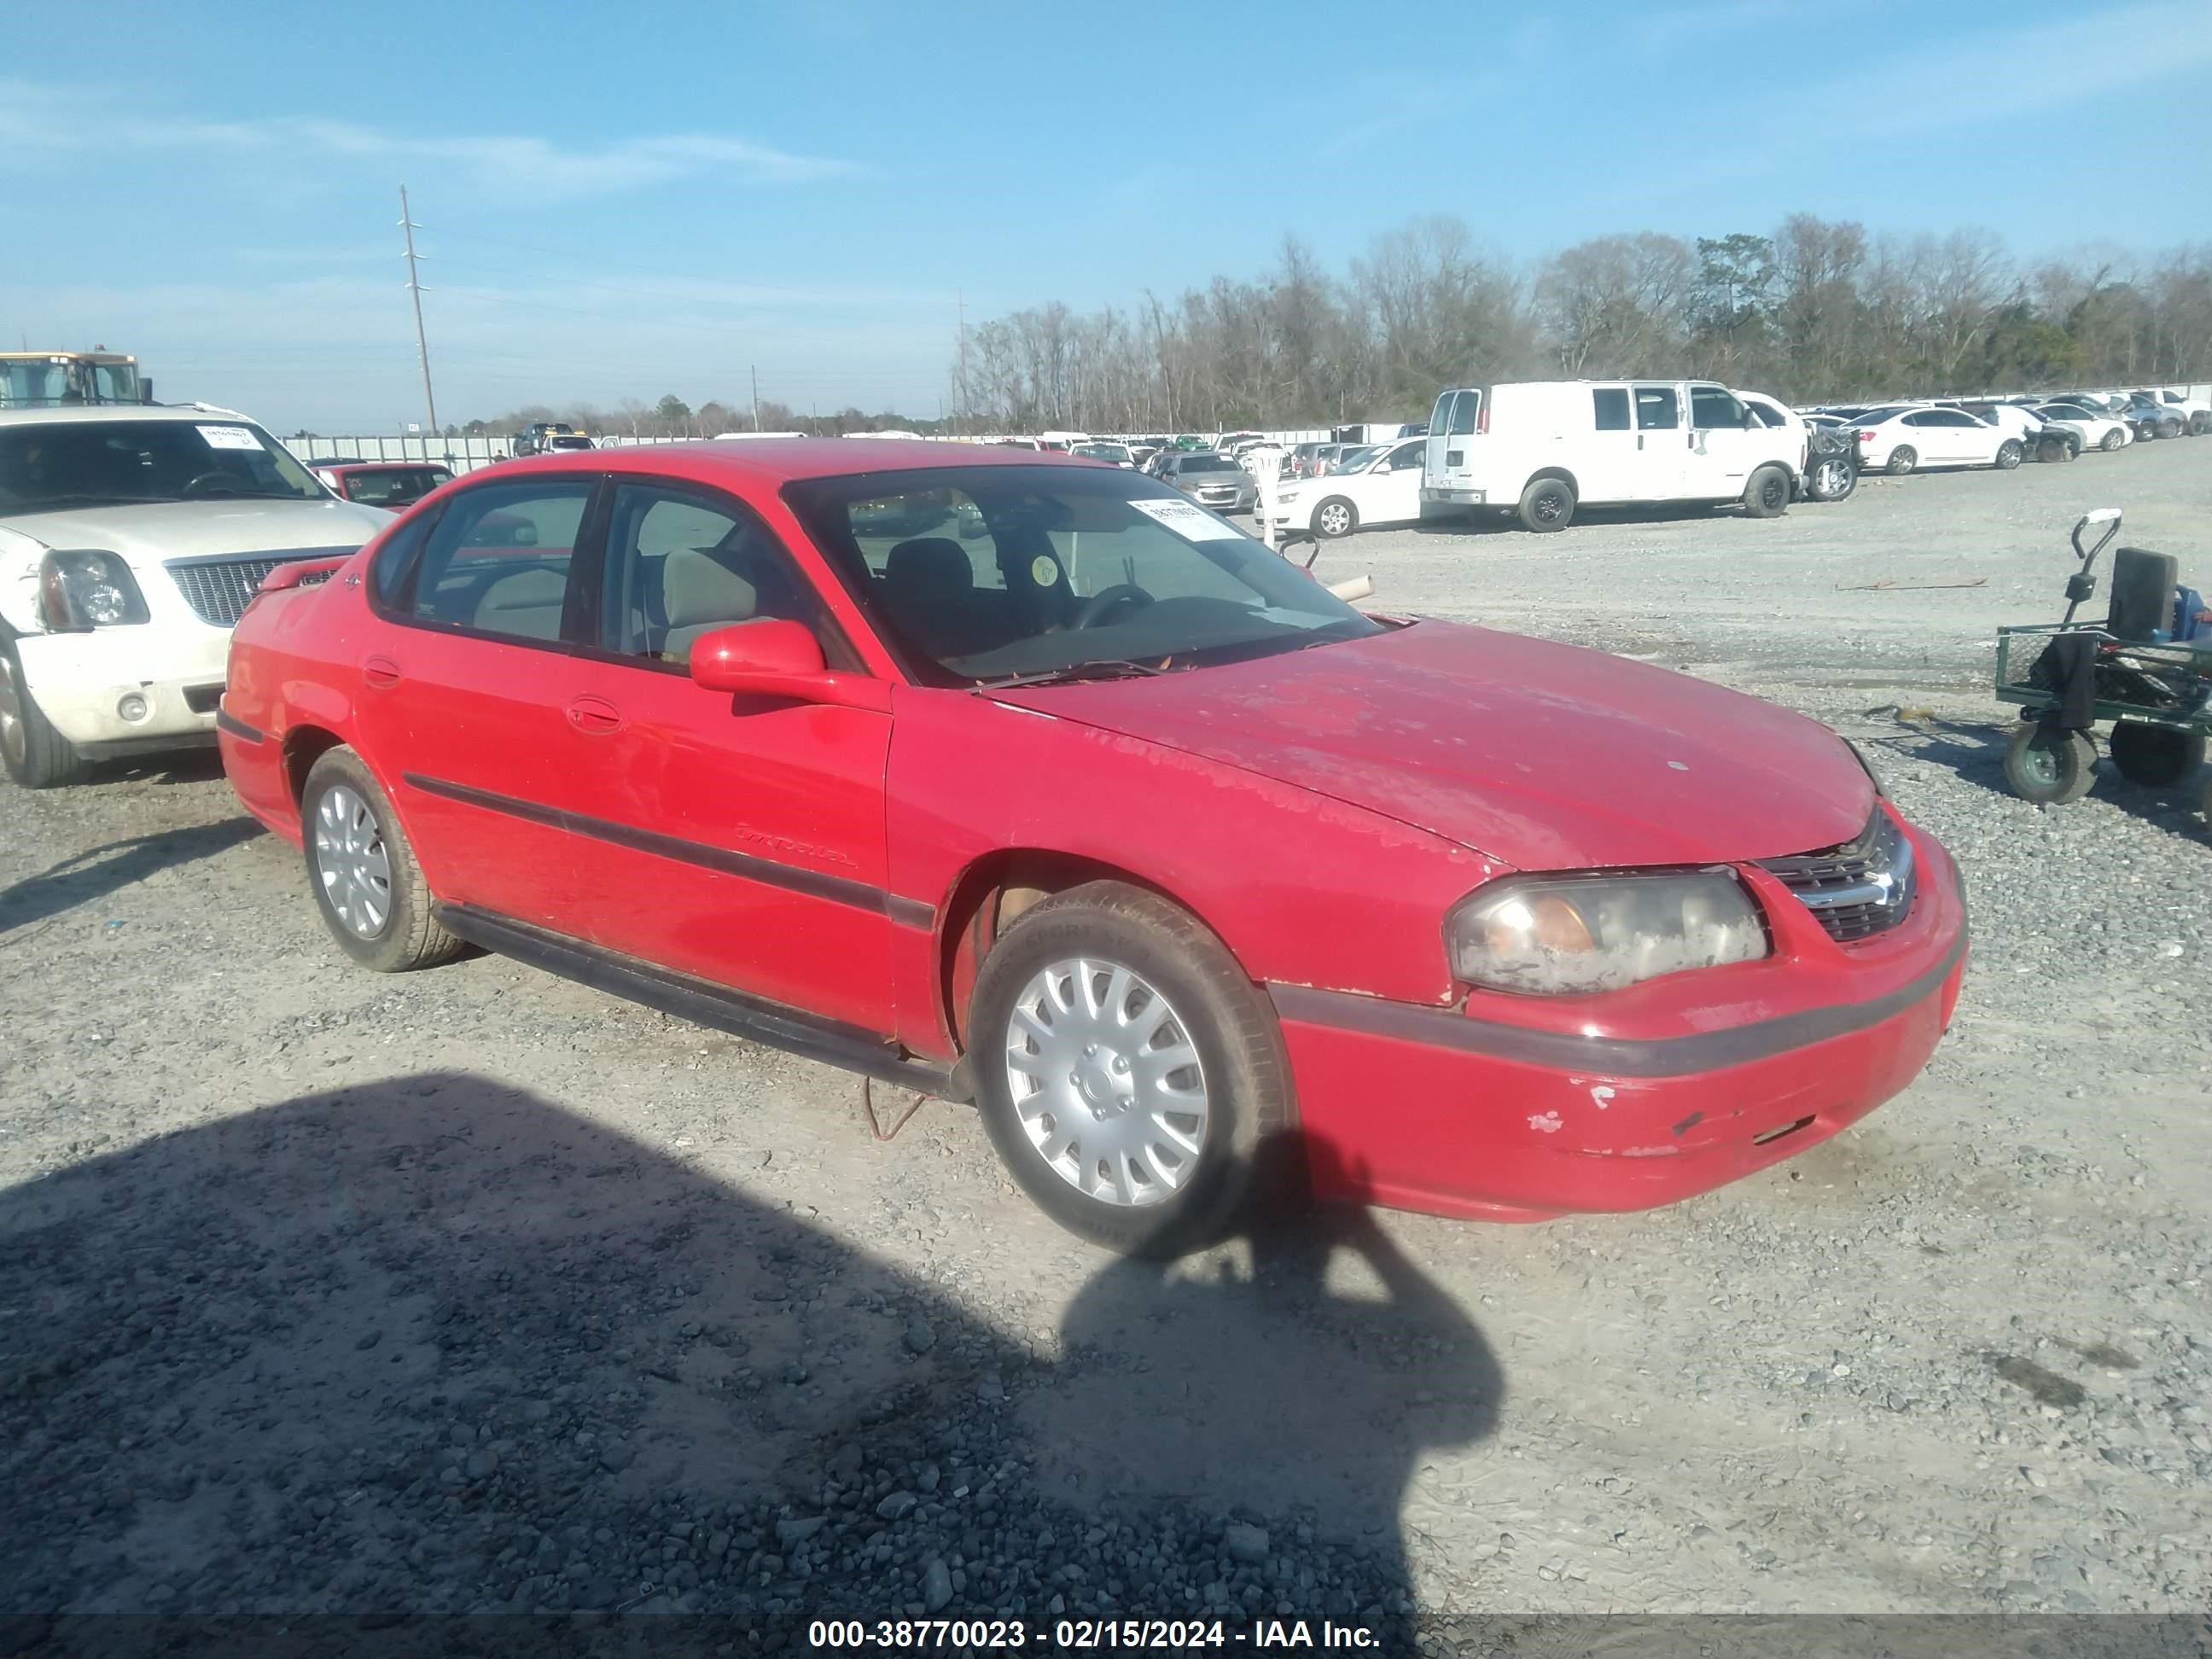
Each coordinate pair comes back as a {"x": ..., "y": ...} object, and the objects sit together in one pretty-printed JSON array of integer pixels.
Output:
[{"x": 1127, "y": 1070}]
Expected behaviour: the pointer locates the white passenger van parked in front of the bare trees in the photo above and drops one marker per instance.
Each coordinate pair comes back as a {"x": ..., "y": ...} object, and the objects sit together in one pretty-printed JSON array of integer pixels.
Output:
[{"x": 1545, "y": 448}]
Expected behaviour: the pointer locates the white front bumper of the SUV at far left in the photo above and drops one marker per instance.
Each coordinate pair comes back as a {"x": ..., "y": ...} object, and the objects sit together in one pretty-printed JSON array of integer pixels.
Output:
[{"x": 81, "y": 682}]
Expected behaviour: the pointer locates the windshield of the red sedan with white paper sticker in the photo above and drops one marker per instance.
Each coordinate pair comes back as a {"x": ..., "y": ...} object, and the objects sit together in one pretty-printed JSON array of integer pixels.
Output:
[{"x": 988, "y": 574}]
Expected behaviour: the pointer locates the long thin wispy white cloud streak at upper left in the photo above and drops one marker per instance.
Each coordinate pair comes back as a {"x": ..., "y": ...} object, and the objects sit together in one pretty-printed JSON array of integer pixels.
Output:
[{"x": 39, "y": 121}]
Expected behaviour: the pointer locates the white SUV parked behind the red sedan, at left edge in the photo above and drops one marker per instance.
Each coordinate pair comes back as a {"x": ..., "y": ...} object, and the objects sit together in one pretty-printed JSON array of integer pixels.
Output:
[{"x": 132, "y": 541}]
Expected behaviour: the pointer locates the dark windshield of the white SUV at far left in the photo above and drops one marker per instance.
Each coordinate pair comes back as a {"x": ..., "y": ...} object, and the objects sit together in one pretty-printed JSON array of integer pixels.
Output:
[{"x": 105, "y": 463}]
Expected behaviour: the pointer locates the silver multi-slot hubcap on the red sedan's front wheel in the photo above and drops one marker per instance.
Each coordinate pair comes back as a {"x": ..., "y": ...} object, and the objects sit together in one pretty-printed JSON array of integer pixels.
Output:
[{"x": 1107, "y": 1083}]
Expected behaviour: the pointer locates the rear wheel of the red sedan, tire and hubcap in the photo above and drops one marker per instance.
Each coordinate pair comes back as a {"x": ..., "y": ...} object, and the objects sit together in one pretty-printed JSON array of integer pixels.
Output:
[{"x": 366, "y": 879}]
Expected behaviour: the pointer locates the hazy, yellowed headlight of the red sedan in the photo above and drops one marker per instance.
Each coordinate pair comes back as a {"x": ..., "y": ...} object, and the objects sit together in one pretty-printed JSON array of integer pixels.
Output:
[{"x": 1572, "y": 935}]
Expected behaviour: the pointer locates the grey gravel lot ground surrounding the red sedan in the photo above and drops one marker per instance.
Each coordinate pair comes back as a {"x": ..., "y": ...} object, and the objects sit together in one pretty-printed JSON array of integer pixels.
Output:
[{"x": 483, "y": 1291}]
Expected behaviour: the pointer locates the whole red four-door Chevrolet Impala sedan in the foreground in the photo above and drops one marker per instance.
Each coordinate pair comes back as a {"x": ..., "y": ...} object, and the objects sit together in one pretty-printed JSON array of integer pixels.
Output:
[{"x": 1034, "y": 784}]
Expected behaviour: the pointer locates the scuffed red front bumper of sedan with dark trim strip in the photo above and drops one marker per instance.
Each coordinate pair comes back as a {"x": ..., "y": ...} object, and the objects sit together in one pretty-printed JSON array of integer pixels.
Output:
[{"x": 1459, "y": 1114}]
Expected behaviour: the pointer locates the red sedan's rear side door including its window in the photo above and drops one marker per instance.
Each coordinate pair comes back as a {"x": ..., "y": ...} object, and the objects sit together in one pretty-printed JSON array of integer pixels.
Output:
[{"x": 459, "y": 702}]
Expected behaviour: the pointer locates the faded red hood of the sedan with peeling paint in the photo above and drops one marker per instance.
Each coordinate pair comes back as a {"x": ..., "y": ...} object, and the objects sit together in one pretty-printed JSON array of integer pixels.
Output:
[{"x": 1534, "y": 753}]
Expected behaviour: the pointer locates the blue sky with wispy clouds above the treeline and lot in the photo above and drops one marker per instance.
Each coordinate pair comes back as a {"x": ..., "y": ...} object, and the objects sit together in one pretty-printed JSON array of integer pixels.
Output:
[{"x": 671, "y": 198}]
